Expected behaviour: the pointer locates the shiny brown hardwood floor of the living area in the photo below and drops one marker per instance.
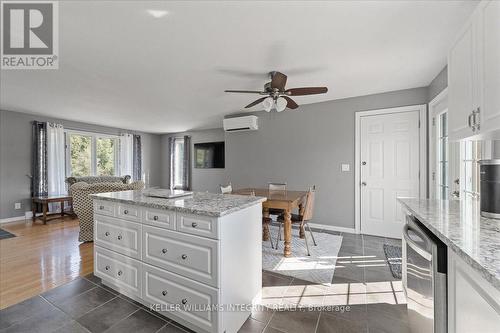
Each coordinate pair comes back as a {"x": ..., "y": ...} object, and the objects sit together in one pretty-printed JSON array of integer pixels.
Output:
[{"x": 40, "y": 258}]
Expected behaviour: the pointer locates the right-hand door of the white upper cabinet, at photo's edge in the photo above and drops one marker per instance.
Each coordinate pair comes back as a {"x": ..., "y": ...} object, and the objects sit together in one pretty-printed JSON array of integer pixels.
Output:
[{"x": 489, "y": 64}]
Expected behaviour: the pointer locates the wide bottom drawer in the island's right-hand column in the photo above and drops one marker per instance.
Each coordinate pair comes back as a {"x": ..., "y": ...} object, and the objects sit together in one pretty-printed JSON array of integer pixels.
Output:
[{"x": 185, "y": 298}]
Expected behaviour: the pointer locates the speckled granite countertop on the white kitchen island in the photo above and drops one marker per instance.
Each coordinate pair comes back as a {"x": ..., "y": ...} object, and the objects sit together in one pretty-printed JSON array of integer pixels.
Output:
[{"x": 201, "y": 203}]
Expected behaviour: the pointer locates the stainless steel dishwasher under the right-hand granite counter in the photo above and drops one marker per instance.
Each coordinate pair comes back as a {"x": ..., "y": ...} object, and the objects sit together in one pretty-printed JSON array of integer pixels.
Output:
[{"x": 424, "y": 278}]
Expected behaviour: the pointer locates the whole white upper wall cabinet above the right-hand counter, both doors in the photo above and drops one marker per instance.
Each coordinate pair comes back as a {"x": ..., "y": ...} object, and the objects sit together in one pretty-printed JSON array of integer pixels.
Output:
[{"x": 474, "y": 76}]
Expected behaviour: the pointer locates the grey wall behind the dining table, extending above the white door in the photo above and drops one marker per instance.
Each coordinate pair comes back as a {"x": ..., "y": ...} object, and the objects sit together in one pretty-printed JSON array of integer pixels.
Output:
[{"x": 306, "y": 147}]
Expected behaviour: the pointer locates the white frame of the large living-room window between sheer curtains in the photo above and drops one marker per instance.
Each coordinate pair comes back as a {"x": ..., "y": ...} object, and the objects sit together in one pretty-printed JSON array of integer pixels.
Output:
[{"x": 93, "y": 158}]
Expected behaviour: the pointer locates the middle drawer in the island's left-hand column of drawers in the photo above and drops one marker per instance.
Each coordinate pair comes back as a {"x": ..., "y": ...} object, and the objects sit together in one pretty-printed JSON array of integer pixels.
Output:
[{"x": 118, "y": 235}]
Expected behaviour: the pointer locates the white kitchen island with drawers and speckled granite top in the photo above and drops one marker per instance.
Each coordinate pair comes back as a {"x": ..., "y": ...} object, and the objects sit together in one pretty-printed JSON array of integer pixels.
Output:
[{"x": 195, "y": 259}]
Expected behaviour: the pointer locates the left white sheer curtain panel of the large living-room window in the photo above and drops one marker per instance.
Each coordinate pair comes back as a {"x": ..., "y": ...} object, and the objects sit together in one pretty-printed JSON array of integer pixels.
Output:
[{"x": 56, "y": 173}]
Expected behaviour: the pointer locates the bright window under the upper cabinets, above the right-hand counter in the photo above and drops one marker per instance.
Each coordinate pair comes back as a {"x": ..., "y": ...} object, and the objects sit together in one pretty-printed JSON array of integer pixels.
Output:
[{"x": 470, "y": 154}]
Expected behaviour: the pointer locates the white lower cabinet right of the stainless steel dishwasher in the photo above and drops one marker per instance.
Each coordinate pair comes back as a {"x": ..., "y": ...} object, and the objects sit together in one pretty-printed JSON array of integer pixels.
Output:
[{"x": 473, "y": 303}]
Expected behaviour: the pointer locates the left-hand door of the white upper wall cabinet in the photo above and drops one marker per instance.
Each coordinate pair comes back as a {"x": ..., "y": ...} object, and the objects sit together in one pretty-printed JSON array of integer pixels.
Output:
[{"x": 461, "y": 80}]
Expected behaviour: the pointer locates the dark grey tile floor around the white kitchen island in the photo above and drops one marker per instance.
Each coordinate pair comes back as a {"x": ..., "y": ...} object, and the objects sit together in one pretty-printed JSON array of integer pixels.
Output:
[{"x": 363, "y": 297}]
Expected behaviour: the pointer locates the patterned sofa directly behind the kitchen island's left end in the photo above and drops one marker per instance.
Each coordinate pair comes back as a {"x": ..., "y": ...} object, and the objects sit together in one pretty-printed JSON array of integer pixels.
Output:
[{"x": 83, "y": 204}]
